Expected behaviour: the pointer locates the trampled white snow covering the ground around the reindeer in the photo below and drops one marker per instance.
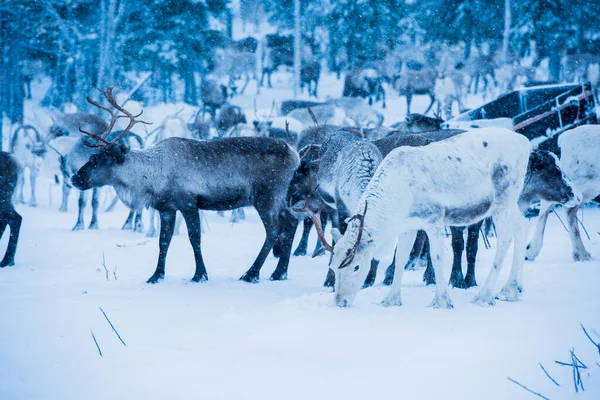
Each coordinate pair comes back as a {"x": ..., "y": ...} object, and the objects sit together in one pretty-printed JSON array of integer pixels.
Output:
[{"x": 227, "y": 339}]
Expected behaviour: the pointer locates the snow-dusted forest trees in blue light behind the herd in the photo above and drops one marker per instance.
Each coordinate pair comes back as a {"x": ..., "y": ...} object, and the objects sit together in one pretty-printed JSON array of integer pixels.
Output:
[{"x": 81, "y": 44}]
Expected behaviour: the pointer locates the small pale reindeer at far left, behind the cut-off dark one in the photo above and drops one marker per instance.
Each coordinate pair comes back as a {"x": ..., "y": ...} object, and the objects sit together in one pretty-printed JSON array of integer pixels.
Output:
[{"x": 28, "y": 146}]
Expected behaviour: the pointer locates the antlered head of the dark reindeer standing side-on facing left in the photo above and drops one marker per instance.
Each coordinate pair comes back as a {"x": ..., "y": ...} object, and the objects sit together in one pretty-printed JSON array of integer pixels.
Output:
[{"x": 98, "y": 171}]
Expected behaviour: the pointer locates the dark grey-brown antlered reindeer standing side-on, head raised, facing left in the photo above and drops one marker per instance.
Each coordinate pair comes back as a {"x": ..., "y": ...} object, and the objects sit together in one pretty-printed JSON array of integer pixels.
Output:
[{"x": 186, "y": 175}]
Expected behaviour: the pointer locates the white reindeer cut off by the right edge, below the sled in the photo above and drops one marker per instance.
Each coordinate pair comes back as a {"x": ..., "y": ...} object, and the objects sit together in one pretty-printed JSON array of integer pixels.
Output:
[{"x": 579, "y": 160}]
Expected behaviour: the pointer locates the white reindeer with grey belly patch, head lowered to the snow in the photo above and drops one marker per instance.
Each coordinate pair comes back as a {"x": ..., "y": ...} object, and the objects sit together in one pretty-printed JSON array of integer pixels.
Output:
[{"x": 458, "y": 181}]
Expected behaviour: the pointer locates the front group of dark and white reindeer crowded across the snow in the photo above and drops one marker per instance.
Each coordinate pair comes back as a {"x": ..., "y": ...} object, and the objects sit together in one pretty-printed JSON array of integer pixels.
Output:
[{"x": 382, "y": 189}]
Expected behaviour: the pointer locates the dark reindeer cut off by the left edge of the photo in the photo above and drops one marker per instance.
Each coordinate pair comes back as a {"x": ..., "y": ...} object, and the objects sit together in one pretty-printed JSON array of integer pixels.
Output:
[{"x": 9, "y": 173}]
